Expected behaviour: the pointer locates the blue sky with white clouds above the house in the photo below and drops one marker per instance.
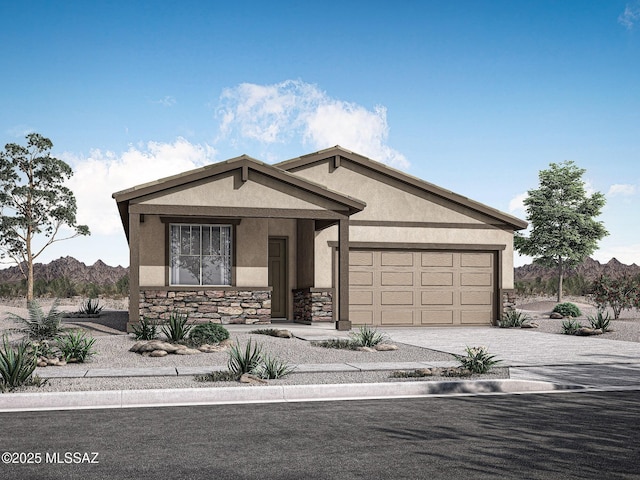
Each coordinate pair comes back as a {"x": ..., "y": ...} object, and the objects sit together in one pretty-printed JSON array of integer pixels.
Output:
[{"x": 474, "y": 96}]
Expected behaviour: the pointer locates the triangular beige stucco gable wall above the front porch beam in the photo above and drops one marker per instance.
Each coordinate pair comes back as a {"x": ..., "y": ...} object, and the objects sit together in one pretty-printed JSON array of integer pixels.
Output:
[{"x": 228, "y": 190}]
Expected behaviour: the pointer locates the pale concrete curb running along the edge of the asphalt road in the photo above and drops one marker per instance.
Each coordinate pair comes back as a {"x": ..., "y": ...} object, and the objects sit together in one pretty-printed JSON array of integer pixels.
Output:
[{"x": 15, "y": 402}]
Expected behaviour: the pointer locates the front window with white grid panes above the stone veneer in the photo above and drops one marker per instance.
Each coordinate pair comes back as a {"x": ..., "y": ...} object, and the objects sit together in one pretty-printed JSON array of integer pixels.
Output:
[{"x": 200, "y": 254}]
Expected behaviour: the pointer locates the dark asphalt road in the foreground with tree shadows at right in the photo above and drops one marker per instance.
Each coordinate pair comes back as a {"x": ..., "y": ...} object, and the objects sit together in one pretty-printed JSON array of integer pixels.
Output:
[{"x": 552, "y": 436}]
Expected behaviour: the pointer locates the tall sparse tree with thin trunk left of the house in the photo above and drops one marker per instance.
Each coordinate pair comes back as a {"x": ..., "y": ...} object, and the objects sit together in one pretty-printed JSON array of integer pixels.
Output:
[{"x": 34, "y": 203}]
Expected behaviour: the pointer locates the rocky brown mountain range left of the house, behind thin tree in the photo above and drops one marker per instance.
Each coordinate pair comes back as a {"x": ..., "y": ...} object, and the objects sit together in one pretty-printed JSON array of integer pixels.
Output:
[{"x": 98, "y": 273}]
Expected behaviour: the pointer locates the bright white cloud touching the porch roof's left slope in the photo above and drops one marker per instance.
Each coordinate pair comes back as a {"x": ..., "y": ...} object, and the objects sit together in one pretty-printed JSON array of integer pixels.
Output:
[{"x": 103, "y": 173}]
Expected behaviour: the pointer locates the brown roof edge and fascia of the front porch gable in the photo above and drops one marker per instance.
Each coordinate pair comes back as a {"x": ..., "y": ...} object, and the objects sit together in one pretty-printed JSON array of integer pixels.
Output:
[{"x": 124, "y": 197}]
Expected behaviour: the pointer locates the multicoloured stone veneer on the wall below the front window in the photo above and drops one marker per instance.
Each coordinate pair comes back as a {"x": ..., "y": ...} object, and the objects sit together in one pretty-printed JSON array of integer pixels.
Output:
[{"x": 218, "y": 306}]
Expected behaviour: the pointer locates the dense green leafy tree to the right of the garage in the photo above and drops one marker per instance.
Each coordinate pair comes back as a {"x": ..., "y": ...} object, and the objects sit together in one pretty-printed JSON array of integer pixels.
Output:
[{"x": 564, "y": 229}]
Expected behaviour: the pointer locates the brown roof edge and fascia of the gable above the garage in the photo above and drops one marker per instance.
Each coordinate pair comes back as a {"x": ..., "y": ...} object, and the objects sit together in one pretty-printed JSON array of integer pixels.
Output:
[{"x": 303, "y": 161}]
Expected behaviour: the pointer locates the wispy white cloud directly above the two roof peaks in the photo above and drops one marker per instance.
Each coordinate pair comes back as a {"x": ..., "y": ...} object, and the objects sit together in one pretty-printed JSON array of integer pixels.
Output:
[{"x": 294, "y": 109}]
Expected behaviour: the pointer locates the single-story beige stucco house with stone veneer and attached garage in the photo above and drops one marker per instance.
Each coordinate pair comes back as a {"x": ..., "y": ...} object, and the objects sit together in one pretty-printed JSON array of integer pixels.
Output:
[{"x": 331, "y": 236}]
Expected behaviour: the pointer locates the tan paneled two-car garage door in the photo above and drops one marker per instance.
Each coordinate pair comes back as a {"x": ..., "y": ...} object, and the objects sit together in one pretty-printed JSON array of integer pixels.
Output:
[{"x": 421, "y": 287}]
